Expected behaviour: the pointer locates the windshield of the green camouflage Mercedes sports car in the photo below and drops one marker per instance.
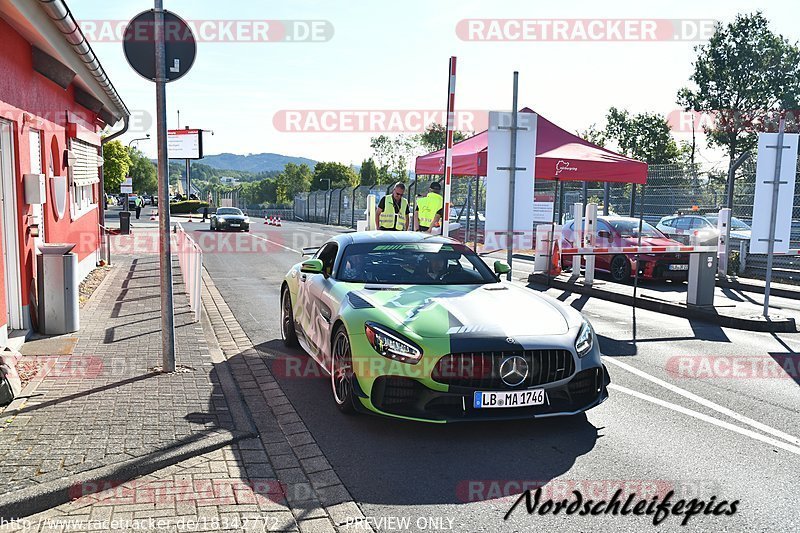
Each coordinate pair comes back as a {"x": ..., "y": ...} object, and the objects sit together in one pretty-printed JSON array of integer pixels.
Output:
[{"x": 413, "y": 264}]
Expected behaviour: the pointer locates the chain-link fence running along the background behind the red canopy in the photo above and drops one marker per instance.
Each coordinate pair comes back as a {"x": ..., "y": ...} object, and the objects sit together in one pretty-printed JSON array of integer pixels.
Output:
[{"x": 669, "y": 189}]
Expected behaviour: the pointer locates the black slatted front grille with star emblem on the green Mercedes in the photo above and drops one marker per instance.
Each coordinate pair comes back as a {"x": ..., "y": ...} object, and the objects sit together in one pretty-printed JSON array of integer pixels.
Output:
[{"x": 481, "y": 370}]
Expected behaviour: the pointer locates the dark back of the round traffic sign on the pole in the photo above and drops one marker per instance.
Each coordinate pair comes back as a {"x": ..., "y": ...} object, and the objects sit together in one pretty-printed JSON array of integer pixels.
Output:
[{"x": 139, "y": 43}]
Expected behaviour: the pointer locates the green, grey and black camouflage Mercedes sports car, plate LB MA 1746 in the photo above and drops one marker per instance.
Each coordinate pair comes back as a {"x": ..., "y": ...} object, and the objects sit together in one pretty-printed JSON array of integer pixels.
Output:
[{"x": 417, "y": 326}]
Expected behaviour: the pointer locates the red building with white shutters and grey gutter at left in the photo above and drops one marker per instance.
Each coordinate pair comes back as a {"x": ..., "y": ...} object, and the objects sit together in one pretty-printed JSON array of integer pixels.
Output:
[{"x": 54, "y": 101}]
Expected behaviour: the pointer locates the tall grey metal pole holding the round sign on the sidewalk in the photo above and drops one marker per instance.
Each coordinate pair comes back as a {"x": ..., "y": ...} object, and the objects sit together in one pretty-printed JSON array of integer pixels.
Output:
[{"x": 167, "y": 310}]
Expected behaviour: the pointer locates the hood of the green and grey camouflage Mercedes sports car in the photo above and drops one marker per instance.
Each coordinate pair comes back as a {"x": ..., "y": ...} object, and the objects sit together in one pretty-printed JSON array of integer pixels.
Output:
[{"x": 494, "y": 310}]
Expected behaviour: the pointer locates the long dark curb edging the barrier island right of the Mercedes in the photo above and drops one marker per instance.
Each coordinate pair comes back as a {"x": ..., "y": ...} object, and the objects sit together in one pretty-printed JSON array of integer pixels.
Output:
[{"x": 773, "y": 325}]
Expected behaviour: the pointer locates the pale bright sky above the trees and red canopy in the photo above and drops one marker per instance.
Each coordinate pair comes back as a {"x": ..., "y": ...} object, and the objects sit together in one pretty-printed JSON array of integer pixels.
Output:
[{"x": 393, "y": 55}]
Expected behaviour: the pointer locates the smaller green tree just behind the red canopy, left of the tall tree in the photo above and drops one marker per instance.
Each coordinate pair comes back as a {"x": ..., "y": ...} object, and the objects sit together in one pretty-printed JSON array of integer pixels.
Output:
[{"x": 645, "y": 136}]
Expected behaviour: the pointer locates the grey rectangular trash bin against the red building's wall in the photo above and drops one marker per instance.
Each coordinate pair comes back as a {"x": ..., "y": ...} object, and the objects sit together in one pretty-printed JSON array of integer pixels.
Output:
[{"x": 58, "y": 289}]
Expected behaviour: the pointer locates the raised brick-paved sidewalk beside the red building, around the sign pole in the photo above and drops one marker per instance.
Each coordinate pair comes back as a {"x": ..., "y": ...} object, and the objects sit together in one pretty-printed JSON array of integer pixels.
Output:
[{"x": 104, "y": 404}]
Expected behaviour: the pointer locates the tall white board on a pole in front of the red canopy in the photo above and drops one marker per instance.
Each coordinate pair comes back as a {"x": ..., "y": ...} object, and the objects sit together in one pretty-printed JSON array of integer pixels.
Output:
[{"x": 497, "y": 181}]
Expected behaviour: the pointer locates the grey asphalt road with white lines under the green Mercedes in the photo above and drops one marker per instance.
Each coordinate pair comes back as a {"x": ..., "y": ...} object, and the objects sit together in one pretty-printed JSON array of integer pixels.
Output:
[{"x": 676, "y": 419}]
